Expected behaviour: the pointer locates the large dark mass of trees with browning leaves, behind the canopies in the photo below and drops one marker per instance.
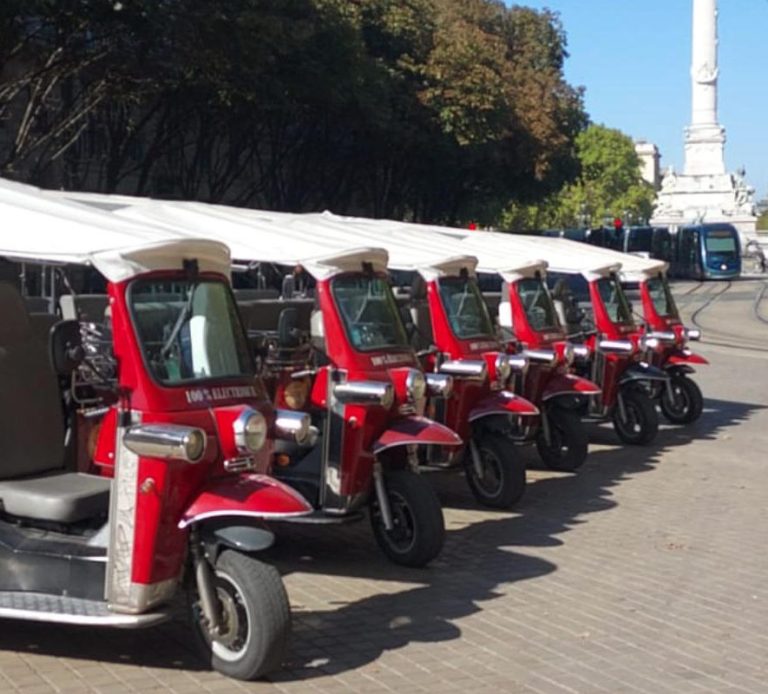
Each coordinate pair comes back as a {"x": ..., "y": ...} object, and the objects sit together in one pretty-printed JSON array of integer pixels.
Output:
[{"x": 436, "y": 110}]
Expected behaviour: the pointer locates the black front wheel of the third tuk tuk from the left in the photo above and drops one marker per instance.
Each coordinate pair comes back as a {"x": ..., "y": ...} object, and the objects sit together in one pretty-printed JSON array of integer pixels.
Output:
[{"x": 501, "y": 482}]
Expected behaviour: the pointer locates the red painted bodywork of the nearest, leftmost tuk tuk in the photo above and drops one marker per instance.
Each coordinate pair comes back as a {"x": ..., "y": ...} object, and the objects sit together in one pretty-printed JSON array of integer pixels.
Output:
[{"x": 169, "y": 494}]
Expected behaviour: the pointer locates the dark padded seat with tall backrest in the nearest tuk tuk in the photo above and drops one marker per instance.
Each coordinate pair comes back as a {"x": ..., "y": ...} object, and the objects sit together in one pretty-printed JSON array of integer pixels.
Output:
[{"x": 33, "y": 481}]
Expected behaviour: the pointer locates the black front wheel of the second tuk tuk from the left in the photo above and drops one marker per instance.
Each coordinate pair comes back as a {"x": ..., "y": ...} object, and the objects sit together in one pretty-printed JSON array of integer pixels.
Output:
[{"x": 419, "y": 529}]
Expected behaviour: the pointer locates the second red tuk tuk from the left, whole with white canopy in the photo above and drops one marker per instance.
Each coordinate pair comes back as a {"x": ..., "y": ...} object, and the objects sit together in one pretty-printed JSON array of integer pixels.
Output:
[{"x": 353, "y": 369}]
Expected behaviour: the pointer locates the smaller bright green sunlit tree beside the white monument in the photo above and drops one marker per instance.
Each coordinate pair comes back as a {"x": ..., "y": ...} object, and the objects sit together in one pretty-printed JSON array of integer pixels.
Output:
[{"x": 609, "y": 185}]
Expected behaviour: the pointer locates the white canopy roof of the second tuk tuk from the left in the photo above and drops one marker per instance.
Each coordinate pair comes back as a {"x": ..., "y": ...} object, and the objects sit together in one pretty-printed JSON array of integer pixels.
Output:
[{"x": 254, "y": 238}]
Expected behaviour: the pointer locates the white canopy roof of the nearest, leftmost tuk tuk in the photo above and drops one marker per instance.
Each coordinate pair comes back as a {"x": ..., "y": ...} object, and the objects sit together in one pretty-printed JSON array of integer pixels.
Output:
[{"x": 39, "y": 228}]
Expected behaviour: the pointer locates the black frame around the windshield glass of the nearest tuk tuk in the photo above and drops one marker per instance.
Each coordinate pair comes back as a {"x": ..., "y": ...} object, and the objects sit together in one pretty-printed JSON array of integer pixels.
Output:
[{"x": 245, "y": 356}]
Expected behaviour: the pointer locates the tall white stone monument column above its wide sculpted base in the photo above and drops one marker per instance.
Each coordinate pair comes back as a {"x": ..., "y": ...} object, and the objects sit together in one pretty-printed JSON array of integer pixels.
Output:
[{"x": 705, "y": 137}]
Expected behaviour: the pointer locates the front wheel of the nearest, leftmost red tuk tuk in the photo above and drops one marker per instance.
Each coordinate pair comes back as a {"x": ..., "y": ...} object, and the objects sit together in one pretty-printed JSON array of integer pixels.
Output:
[{"x": 256, "y": 610}]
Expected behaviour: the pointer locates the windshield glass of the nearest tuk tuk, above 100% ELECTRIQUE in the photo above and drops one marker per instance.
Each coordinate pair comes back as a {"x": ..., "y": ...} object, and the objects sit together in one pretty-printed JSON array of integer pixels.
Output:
[{"x": 189, "y": 330}]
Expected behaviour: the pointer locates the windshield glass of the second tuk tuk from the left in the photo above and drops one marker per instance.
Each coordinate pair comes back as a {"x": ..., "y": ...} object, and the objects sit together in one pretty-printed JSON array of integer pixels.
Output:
[{"x": 369, "y": 312}]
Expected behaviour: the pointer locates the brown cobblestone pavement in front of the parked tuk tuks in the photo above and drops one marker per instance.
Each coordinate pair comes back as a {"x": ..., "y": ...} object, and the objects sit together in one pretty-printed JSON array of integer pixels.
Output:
[{"x": 645, "y": 572}]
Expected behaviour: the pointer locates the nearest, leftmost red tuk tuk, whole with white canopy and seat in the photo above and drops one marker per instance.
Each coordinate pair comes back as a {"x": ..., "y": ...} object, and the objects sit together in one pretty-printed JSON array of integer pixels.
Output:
[{"x": 148, "y": 477}]
